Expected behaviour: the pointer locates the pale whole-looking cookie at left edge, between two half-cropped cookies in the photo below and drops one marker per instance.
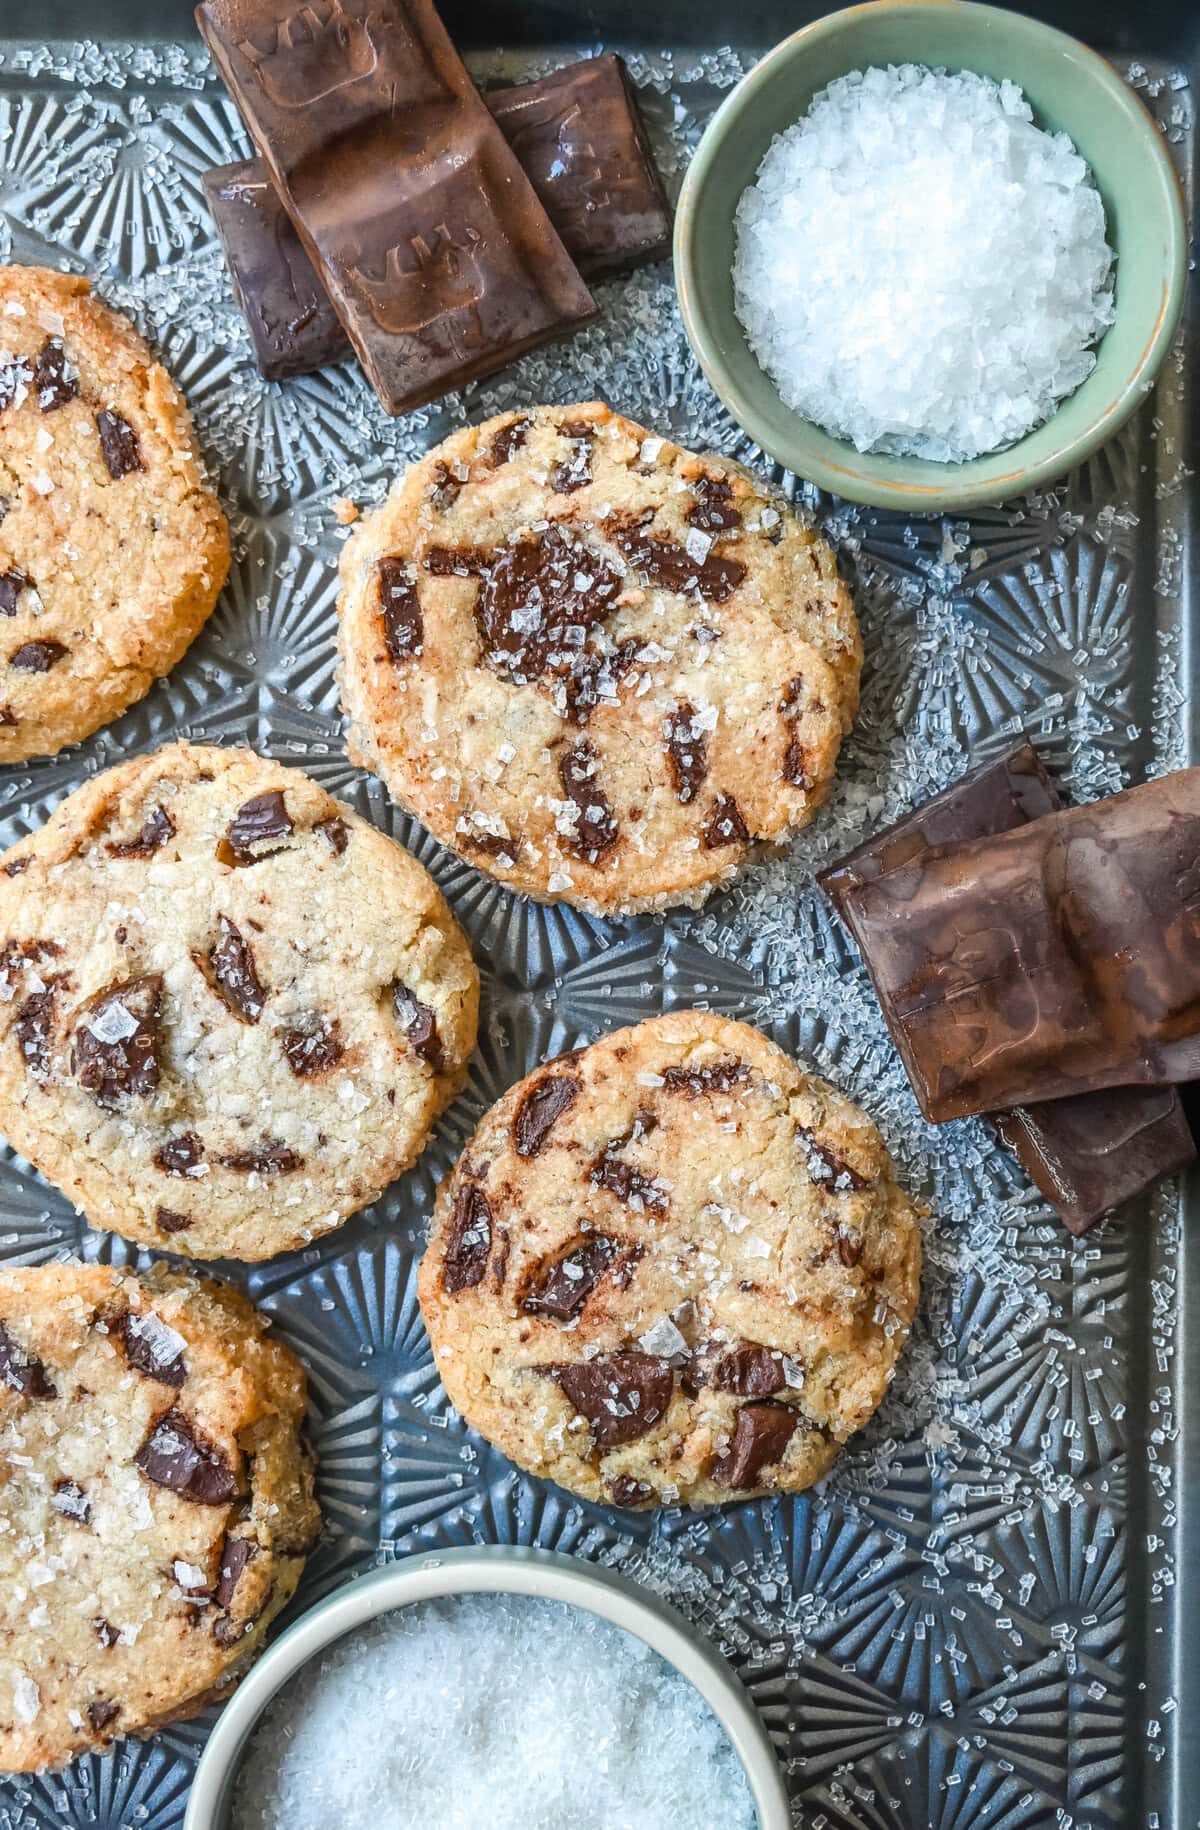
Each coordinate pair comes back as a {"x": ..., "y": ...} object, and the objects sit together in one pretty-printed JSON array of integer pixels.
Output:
[{"x": 230, "y": 1009}]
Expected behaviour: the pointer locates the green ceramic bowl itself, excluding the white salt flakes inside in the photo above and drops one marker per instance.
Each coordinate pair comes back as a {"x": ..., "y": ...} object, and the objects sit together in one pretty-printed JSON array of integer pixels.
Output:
[{"x": 952, "y": 495}]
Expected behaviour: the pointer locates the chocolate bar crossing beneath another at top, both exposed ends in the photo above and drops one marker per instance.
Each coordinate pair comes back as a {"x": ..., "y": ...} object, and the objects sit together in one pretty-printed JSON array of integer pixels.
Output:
[{"x": 581, "y": 142}]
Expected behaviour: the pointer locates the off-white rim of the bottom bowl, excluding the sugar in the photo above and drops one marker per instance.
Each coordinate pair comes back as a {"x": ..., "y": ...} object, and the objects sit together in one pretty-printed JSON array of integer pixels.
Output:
[{"x": 491, "y": 1569}]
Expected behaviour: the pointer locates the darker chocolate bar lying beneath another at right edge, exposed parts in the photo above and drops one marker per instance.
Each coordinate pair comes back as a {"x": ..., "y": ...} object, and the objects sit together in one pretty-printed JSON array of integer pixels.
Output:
[{"x": 1087, "y": 1154}]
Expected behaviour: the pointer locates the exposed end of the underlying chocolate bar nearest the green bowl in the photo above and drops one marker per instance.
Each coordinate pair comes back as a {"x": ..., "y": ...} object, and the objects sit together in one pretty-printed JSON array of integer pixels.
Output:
[{"x": 581, "y": 138}]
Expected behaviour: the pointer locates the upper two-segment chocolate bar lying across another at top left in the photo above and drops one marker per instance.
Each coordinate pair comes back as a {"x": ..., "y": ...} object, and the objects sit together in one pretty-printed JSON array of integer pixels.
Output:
[{"x": 427, "y": 235}]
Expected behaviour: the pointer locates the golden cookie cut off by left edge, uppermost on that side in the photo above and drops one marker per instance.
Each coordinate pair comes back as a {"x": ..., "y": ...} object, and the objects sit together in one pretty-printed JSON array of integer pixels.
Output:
[{"x": 112, "y": 548}]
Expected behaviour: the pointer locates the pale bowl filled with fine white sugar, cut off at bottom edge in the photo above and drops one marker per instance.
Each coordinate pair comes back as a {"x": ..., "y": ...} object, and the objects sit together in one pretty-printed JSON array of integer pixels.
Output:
[{"x": 500, "y": 1688}]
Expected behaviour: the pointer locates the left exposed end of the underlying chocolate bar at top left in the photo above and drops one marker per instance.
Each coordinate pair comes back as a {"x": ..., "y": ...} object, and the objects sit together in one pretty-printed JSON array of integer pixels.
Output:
[{"x": 288, "y": 312}]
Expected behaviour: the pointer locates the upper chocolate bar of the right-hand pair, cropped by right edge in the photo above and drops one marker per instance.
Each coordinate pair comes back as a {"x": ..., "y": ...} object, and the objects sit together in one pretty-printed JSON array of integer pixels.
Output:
[{"x": 1047, "y": 962}]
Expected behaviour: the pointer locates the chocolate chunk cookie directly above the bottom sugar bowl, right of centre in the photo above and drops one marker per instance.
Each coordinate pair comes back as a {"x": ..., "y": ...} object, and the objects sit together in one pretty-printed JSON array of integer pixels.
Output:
[{"x": 672, "y": 1269}]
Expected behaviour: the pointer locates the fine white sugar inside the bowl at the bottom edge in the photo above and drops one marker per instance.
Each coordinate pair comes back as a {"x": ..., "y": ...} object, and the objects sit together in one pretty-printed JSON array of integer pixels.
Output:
[{"x": 495, "y": 1712}]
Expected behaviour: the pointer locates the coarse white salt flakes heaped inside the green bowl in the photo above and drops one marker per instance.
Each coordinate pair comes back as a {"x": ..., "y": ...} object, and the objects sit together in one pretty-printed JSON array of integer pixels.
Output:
[{"x": 919, "y": 268}]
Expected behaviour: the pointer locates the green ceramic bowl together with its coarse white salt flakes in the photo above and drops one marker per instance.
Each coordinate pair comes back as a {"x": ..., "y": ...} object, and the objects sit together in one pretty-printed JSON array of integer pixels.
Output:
[{"x": 1071, "y": 91}]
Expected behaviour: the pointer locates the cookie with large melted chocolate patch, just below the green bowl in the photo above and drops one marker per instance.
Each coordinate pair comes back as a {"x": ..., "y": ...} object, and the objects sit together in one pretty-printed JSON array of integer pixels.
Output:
[{"x": 599, "y": 667}]
